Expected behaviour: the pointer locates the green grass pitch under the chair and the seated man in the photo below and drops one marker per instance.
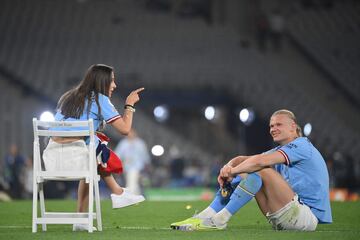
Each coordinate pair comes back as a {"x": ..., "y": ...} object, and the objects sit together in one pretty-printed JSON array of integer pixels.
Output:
[{"x": 151, "y": 220}]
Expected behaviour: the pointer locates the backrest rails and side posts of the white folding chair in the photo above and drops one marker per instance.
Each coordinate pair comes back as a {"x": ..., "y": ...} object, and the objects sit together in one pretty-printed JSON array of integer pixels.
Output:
[{"x": 63, "y": 129}]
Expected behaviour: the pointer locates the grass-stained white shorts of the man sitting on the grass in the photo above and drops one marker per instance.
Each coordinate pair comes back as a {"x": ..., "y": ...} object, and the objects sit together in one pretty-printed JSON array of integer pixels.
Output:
[{"x": 294, "y": 216}]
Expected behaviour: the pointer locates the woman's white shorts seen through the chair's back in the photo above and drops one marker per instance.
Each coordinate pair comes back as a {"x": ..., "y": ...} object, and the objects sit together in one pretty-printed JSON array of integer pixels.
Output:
[{"x": 66, "y": 156}]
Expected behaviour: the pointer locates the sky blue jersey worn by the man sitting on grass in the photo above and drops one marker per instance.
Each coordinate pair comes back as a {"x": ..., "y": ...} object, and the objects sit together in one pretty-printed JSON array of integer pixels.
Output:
[{"x": 306, "y": 172}]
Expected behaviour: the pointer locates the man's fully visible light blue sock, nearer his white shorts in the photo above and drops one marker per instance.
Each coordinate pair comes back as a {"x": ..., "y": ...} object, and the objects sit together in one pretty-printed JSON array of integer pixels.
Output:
[{"x": 244, "y": 192}]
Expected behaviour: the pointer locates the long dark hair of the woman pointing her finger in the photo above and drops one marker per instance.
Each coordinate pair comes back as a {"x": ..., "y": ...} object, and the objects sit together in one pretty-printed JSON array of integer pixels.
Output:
[{"x": 96, "y": 80}]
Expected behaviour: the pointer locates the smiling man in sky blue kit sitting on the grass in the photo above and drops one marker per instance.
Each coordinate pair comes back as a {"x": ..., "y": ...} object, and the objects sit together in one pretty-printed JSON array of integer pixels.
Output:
[{"x": 290, "y": 184}]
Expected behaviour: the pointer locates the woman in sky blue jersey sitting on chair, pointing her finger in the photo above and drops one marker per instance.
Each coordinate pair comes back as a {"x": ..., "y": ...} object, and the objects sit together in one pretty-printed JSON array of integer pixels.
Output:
[{"x": 91, "y": 99}]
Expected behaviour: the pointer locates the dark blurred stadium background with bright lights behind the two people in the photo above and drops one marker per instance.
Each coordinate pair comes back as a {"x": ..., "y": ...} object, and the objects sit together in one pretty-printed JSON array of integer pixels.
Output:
[{"x": 214, "y": 71}]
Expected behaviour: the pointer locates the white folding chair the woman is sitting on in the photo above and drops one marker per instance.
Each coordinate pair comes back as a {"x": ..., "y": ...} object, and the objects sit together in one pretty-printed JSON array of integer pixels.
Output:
[{"x": 42, "y": 129}]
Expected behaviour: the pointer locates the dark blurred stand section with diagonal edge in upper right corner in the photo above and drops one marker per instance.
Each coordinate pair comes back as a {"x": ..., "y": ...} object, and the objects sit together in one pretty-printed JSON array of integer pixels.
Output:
[{"x": 331, "y": 37}]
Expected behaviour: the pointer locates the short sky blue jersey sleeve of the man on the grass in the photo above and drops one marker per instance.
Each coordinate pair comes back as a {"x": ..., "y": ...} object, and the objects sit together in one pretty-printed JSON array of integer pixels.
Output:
[{"x": 294, "y": 151}]
